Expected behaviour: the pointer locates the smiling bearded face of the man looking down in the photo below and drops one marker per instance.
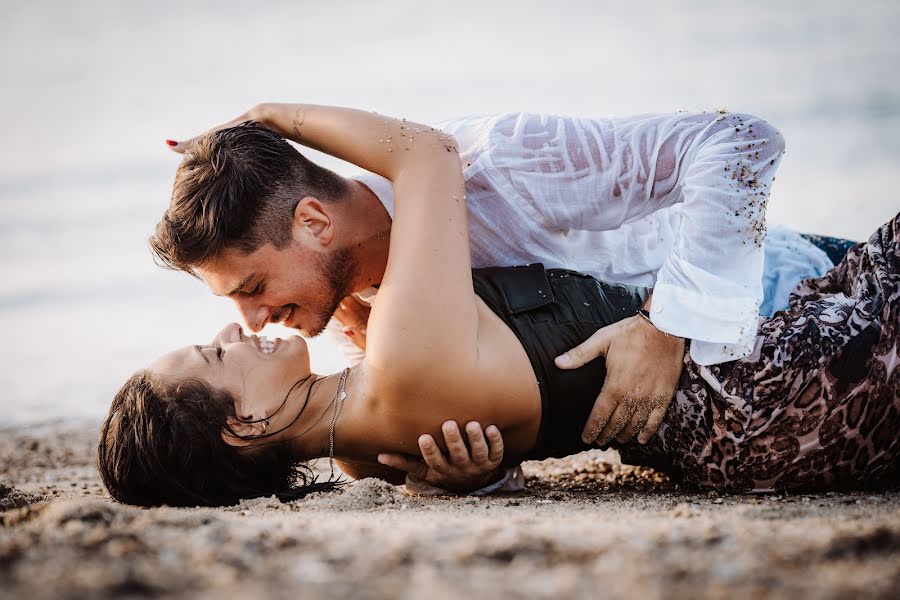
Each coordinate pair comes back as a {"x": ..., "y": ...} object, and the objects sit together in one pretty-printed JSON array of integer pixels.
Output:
[{"x": 296, "y": 286}]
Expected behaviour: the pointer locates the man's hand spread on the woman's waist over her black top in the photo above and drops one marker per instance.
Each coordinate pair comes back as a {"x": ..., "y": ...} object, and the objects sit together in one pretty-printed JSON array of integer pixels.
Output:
[{"x": 643, "y": 366}]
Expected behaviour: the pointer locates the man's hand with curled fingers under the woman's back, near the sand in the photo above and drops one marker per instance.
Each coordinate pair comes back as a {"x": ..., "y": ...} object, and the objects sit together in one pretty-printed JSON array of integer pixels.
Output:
[{"x": 465, "y": 470}]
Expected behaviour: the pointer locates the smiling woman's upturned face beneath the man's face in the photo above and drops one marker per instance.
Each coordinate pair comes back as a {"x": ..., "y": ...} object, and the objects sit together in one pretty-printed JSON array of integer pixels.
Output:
[{"x": 237, "y": 363}]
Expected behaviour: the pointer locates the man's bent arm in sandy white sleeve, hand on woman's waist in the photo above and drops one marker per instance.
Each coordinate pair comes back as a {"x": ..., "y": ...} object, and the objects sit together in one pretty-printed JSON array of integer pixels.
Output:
[{"x": 596, "y": 175}]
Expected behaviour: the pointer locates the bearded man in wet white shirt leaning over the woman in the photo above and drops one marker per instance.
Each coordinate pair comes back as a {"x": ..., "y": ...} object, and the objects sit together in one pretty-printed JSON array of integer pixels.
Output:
[{"x": 567, "y": 192}]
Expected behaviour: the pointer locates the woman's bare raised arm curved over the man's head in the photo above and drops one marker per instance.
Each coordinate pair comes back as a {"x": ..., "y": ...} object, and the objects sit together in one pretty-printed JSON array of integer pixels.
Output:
[{"x": 425, "y": 320}]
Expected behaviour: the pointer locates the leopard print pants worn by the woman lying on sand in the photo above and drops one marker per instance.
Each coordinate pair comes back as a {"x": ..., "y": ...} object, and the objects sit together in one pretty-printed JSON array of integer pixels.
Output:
[{"x": 817, "y": 404}]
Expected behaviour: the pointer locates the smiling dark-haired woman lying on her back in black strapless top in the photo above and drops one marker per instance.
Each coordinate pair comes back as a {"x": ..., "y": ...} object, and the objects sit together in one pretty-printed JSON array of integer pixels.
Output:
[{"x": 815, "y": 406}]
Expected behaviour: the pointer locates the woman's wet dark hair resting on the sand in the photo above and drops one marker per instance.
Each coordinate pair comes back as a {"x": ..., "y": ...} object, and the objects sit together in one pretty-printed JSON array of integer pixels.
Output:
[{"x": 161, "y": 443}]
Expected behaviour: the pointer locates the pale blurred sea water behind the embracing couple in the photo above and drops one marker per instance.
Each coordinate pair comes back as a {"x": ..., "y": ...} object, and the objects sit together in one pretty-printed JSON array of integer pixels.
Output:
[{"x": 90, "y": 90}]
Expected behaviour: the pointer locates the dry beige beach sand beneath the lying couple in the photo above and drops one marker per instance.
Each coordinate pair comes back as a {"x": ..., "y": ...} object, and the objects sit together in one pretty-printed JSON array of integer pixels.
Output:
[{"x": 585, "y": 528}]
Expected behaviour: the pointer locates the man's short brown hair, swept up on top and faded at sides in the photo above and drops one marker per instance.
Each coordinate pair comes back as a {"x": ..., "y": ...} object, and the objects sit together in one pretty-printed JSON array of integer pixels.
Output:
[{"x": 237, "y": 188}]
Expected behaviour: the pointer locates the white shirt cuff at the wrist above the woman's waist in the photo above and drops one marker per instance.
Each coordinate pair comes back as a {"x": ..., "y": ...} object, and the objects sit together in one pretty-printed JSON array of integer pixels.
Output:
[{"x": 721, "y": 329}]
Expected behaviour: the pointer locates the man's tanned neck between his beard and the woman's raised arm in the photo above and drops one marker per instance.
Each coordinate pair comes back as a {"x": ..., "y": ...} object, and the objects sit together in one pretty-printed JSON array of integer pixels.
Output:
[{"x": 370, "y": 234}]
